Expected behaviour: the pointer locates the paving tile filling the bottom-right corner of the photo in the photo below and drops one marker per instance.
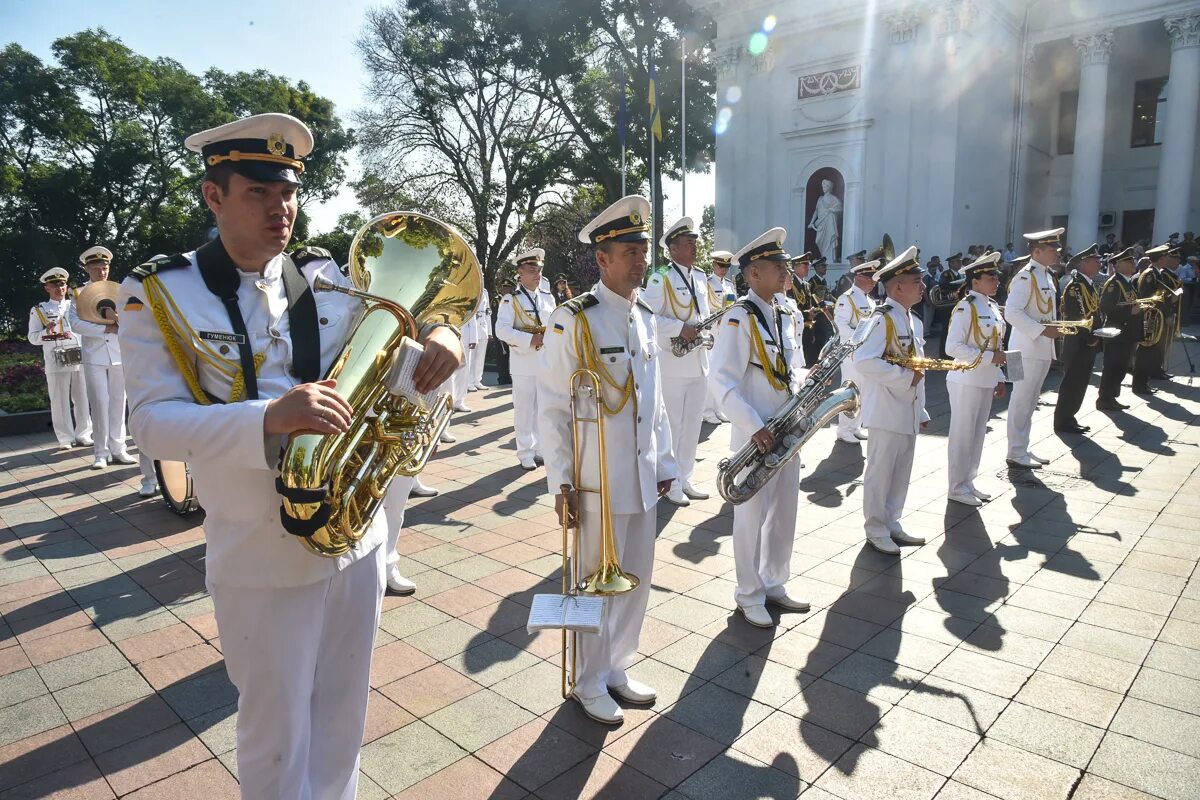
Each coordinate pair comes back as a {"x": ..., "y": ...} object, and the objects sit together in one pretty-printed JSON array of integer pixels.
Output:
[{"x": 1142, "y": 766}]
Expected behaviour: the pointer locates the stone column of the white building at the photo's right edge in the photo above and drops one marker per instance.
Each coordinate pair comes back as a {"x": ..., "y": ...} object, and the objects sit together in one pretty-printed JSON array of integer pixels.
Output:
[{"x": 1178, "y": 153}]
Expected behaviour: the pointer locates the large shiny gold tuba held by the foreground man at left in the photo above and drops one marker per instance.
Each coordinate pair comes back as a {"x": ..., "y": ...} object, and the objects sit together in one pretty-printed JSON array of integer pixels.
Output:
[{"x": 410, "y": 270}]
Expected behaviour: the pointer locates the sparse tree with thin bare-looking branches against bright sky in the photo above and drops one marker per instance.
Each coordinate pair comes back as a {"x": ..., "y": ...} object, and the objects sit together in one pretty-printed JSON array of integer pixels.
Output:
[{"x": 458, "y": 128}]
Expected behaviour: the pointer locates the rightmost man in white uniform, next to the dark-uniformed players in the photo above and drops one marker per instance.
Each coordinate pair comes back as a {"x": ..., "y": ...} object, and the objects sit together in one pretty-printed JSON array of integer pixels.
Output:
[{"x": 1033, "y": 303}]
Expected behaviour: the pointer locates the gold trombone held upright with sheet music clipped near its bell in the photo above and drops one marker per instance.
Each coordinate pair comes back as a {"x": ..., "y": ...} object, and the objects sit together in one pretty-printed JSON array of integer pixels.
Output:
[{"x": 609, "y": 579}]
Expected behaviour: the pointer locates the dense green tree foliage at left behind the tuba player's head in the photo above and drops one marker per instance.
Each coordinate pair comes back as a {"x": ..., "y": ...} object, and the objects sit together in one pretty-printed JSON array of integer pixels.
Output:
[{"x": 92, "y": 152}]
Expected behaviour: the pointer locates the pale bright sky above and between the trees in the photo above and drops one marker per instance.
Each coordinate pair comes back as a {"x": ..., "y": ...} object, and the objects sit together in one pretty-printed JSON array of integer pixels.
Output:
[{"x": 302, "y": 40}]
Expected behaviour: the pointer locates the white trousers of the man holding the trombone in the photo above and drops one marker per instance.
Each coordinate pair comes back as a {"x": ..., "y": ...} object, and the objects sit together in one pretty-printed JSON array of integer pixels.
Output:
[{"x": 605, "y": 658}]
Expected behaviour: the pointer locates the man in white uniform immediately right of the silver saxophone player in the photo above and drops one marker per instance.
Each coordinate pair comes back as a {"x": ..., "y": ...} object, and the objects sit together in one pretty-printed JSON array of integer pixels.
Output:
[{"x": 893, "y": 404}]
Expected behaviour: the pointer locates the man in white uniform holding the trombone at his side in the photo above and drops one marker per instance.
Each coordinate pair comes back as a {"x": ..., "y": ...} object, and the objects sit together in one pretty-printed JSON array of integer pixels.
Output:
[{"x": 611, "y": 333}]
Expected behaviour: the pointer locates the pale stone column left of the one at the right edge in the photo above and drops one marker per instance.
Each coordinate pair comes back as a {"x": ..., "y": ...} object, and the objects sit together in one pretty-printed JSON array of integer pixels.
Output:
[{"x": 1089, "y": 161}]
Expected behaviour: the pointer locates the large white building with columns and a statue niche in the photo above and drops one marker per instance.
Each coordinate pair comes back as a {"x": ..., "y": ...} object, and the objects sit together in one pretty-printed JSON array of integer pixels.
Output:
[{"x": 953, "y": 123}]
